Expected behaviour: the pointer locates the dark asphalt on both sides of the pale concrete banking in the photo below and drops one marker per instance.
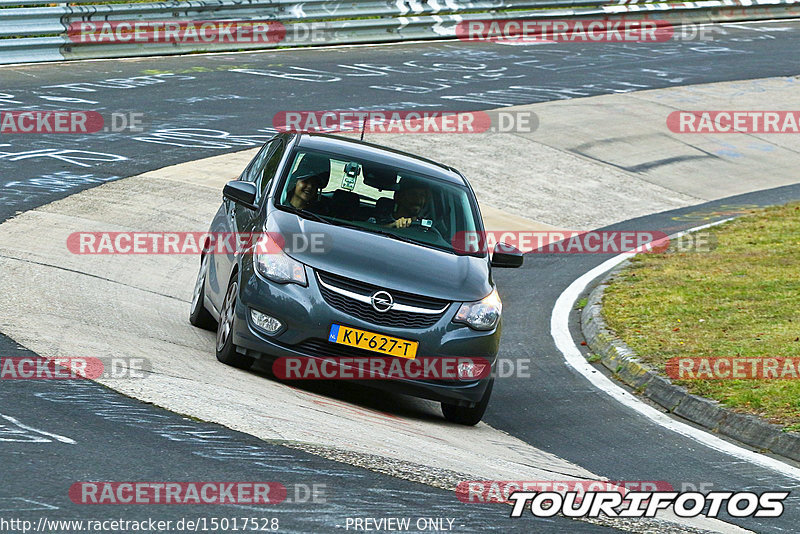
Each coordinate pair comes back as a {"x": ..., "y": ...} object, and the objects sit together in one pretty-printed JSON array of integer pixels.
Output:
[{"x": 197, "y": 106}]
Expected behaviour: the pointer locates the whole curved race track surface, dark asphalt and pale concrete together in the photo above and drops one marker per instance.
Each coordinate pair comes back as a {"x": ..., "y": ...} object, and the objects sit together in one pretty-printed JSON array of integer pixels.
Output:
[{"x": 602, "y": 156}]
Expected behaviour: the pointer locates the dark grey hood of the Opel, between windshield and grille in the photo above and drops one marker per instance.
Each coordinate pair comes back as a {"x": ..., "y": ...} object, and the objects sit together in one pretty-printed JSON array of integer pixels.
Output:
[{"x": 386, "y": 262}]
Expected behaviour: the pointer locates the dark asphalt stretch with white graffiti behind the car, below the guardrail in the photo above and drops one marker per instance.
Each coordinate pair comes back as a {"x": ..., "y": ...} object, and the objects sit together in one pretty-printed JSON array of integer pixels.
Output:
[{"x": 201, "y": 105}]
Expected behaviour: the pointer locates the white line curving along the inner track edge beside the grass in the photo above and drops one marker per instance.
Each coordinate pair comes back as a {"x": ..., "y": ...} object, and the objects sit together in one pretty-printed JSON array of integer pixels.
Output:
[{"x": 559, "y": 329}]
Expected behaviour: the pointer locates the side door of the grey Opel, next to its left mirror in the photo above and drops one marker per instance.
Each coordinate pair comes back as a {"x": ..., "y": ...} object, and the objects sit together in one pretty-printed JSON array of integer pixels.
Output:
[{"x": 231, "y": 219}]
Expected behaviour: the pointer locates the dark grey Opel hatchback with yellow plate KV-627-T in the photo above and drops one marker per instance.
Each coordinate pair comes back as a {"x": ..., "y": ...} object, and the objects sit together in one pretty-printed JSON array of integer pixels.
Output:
[{"x": 365, "y": 257}]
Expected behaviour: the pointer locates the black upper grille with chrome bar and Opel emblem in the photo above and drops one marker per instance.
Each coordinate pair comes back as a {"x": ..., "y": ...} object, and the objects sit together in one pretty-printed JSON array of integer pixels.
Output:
[{"x": 365, "y": 312}]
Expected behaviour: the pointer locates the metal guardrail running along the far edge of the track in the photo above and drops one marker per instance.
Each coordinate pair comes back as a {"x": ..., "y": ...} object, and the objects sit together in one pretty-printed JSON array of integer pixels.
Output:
[{"x": 39, "y": 30}]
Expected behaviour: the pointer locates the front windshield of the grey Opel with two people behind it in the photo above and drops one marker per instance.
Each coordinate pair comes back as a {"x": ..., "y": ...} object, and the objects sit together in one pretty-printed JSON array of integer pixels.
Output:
[{"x": 379, "y": 199}]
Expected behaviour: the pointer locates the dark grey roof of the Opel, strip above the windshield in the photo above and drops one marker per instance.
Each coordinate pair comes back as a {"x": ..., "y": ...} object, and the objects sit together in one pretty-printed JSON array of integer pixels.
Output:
[{"x": 356, "y": 149}]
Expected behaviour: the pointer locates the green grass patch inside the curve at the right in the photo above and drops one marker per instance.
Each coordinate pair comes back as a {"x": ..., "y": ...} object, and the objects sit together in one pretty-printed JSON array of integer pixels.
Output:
[{"x": 740, "y": 299}]
